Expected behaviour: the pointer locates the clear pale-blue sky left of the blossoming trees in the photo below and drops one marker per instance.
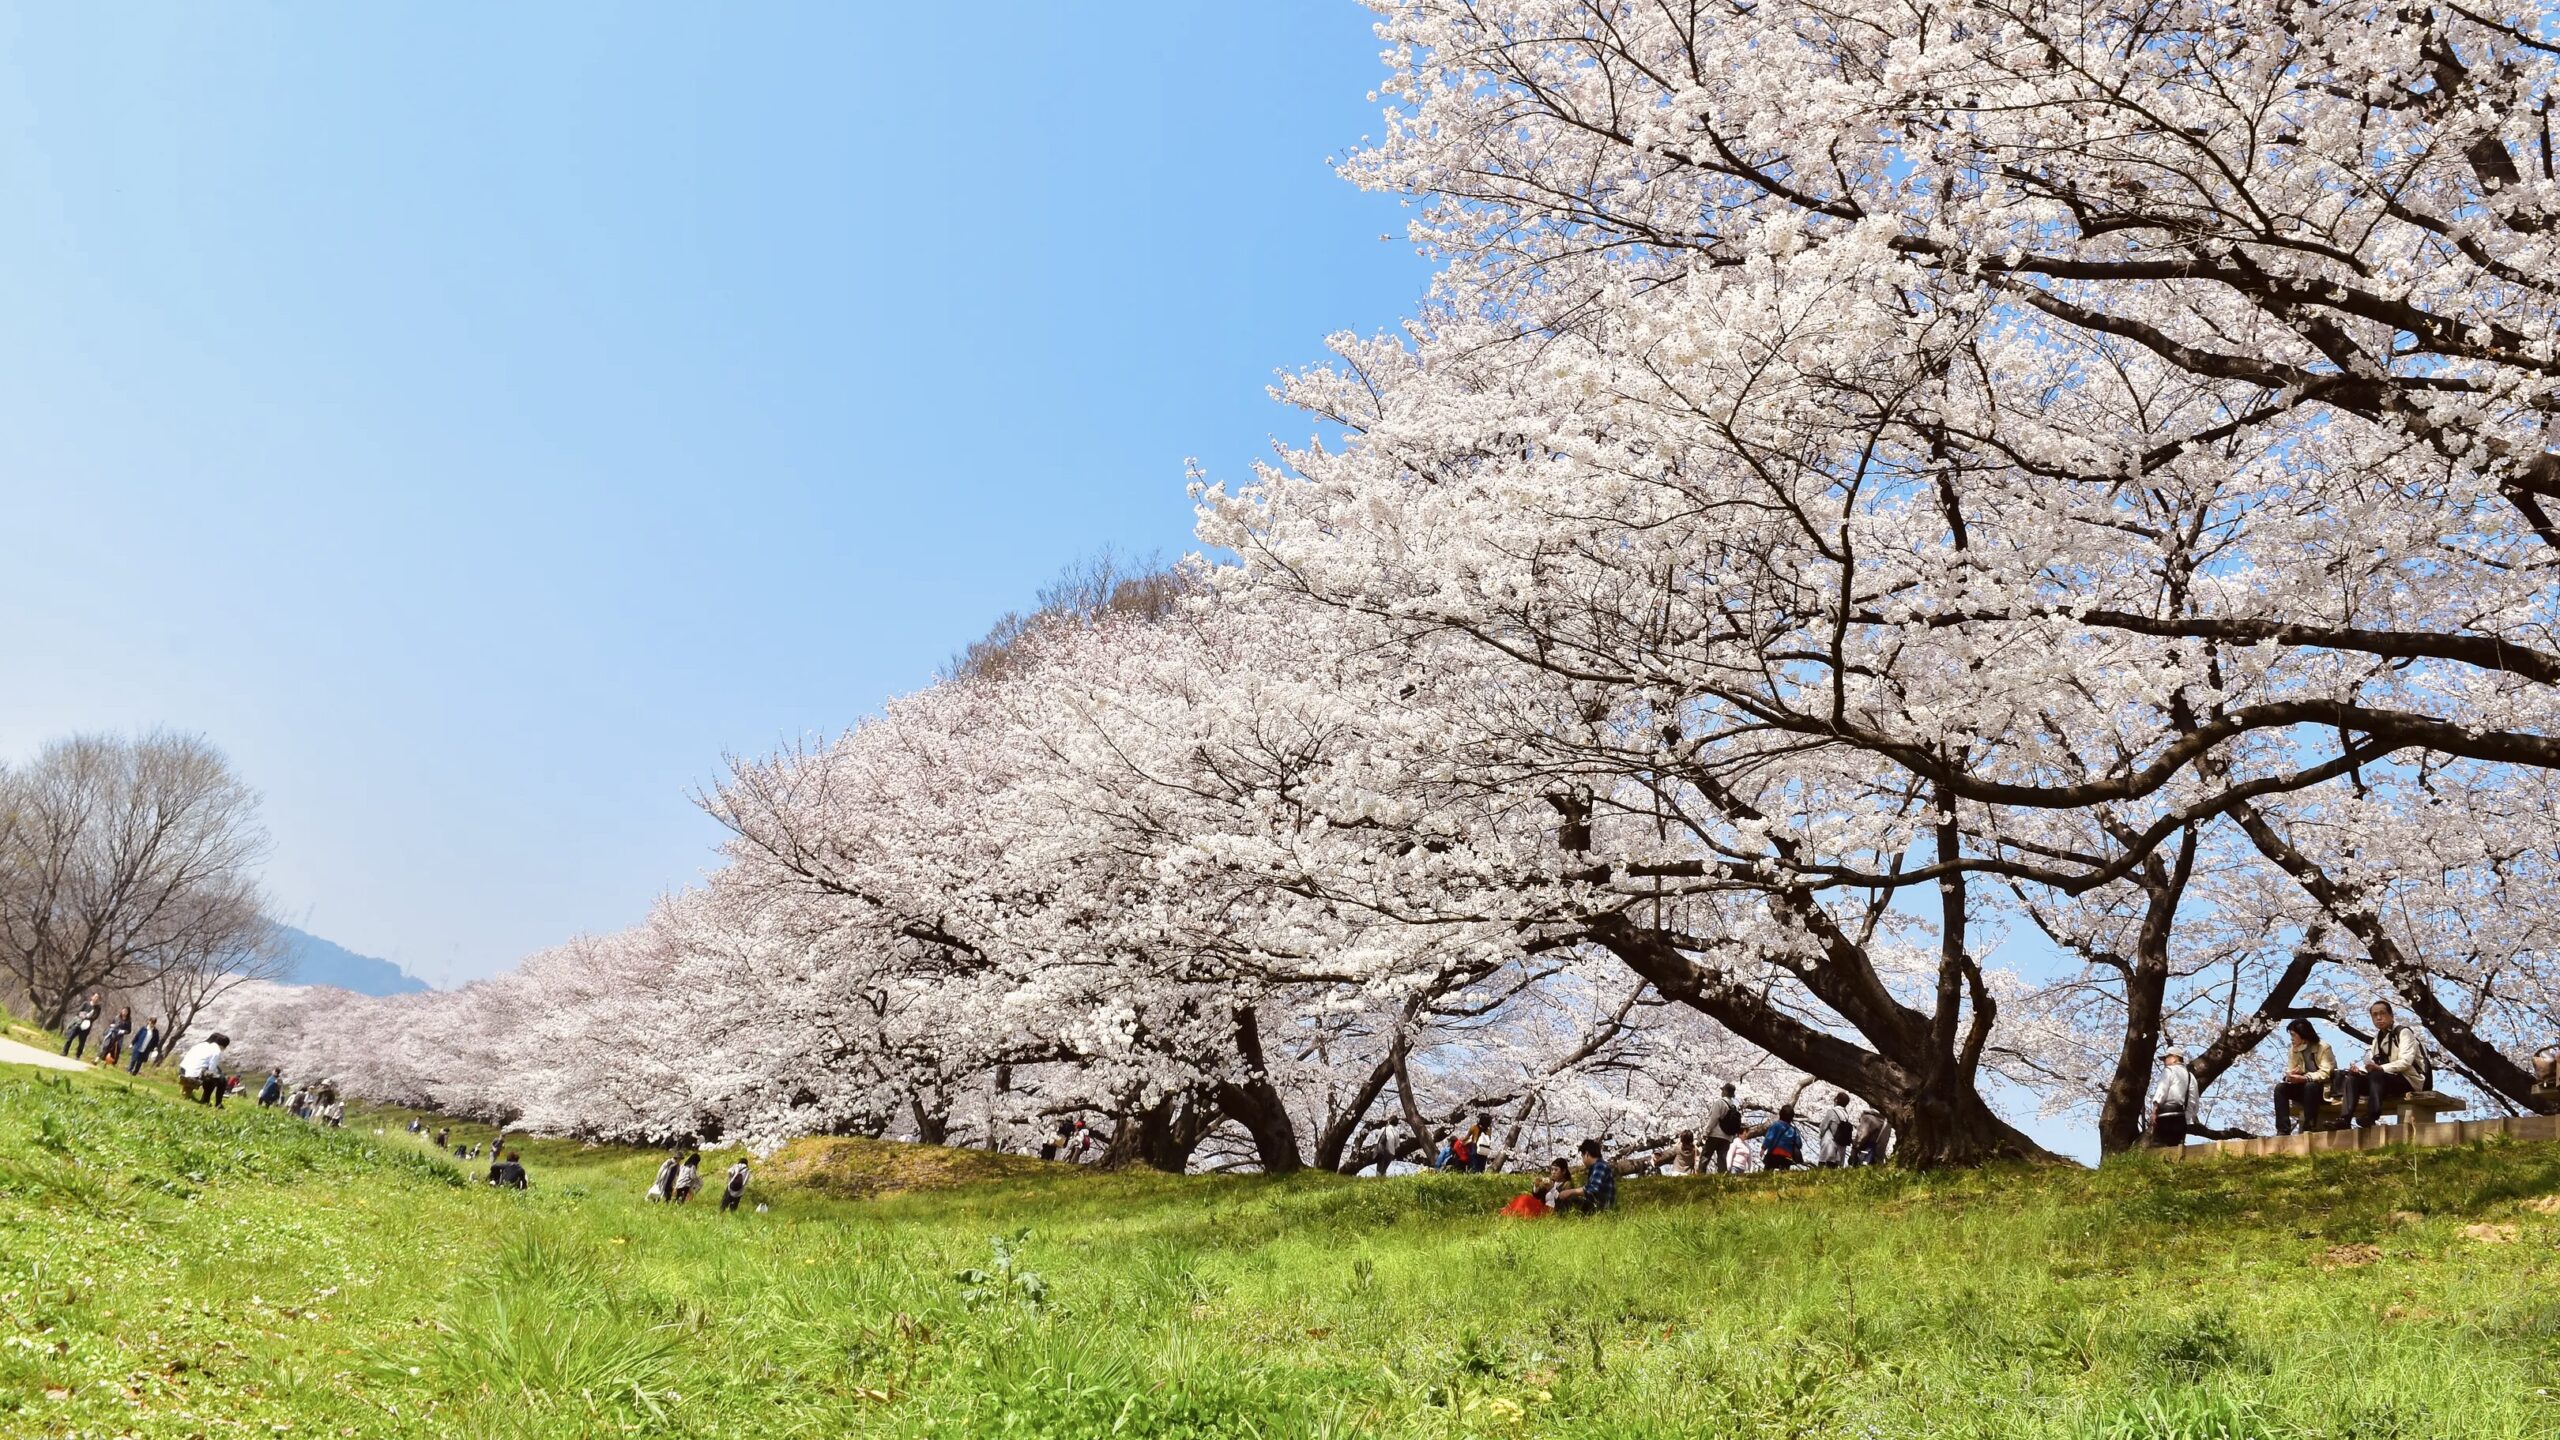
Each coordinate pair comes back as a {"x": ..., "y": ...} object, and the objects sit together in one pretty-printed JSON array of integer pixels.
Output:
[{"x": 483, "y": 419}]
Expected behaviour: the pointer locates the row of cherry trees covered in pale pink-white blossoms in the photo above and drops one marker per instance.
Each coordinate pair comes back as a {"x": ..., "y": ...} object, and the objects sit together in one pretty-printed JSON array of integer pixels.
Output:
[{"x": 1875, "y": 491}]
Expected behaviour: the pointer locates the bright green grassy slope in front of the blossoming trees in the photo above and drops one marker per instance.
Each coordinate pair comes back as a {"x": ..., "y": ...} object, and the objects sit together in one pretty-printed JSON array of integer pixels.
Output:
[{"x": 170, "y": 1270}]
